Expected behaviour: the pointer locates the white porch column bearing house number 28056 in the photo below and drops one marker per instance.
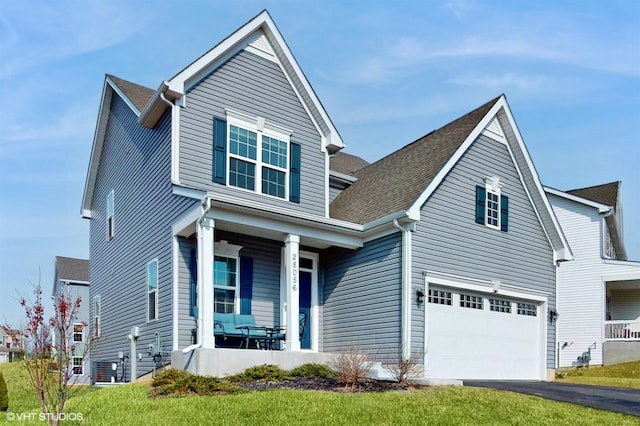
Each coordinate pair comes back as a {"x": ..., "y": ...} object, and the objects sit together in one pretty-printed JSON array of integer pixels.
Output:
[{"x": 292, "y": 284}]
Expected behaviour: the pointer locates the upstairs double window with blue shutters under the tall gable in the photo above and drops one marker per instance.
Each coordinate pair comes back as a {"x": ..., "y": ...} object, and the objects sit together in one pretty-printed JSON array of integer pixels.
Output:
[{"x": 255, "y": 155}]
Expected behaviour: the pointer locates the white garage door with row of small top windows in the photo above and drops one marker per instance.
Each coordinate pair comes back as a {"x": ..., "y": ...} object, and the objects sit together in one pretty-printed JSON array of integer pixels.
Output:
[{"x": 480, "y": 336}]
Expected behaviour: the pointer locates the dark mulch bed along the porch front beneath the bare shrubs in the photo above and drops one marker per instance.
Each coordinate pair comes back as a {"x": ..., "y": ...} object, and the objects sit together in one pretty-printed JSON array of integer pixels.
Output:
[{"x": 332, "y": 385}]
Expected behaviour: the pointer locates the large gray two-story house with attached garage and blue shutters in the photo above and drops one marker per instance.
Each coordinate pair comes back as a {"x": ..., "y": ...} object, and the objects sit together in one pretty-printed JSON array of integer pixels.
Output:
[{"x": 224, "y": 191}]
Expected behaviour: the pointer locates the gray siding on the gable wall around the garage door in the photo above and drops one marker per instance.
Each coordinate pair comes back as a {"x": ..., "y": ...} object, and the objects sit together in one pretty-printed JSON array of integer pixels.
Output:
[{"x": 448, "y": 240}]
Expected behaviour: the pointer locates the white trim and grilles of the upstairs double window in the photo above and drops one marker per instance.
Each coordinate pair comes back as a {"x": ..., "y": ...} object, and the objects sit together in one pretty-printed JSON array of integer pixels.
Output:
[{"x": 262, "y": 128}]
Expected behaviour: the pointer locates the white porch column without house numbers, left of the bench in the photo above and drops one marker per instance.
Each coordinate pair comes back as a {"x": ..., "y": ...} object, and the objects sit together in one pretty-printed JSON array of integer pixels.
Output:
[{"x": 205, "y": 230}]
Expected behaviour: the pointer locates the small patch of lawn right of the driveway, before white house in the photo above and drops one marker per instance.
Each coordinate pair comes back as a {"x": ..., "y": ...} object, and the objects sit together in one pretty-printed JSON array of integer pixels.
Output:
[{"x": 626, "y": 375}]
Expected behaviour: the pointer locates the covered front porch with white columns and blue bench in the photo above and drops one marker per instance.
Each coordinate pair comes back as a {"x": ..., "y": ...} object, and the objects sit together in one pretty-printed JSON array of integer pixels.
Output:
[{"x": 241, "y": 265}]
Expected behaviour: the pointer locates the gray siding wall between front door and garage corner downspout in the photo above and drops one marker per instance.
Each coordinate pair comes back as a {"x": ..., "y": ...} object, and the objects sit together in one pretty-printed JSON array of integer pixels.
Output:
[{"x": 362, "y": 299}]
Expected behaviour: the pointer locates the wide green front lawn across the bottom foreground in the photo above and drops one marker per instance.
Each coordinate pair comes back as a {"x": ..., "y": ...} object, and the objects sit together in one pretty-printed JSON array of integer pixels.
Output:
[{"x": 131, "y": 405}]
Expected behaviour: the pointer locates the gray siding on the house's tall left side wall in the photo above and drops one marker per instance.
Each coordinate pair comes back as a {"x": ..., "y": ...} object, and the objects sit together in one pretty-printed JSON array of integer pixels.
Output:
[{"x": 136, "y": 164}]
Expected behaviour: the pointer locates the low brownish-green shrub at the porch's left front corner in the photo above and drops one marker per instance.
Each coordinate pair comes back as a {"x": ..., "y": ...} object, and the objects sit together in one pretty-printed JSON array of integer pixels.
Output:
[{"x": 177, "y": 382}]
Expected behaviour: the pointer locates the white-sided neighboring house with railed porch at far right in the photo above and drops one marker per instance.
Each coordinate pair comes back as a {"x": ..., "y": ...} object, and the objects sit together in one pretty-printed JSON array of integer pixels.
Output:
[{"x": 599, "y": 292}]
